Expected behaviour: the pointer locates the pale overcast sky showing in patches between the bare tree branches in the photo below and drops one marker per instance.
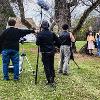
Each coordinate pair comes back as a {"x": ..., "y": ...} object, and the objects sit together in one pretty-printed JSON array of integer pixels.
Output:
[{"x": 32, "y": 10}]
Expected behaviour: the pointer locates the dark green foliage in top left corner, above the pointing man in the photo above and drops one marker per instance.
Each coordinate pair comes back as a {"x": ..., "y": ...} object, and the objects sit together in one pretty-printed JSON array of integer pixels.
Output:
[{"x": 6, "y": 11}]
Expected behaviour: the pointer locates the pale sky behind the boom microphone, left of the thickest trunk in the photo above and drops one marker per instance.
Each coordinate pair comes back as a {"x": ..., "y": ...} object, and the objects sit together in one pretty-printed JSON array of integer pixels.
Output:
[{"x": 33, "y": 10}]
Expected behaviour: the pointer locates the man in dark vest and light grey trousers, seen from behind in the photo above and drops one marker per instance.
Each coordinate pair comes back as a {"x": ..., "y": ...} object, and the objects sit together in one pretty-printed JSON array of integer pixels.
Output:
[{"x": 65, "y": 50}]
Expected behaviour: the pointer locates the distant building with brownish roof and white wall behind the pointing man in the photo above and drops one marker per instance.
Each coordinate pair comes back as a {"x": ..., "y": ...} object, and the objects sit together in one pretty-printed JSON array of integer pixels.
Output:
[{"x": 30, "y": 37}]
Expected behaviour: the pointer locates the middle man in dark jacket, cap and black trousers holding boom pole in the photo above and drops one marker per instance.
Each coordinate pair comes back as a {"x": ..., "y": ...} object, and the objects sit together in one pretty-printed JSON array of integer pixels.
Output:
[{"x": 47, "y": 40}]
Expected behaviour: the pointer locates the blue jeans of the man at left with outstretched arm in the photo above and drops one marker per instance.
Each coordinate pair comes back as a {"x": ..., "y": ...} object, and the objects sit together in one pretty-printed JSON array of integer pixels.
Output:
[{"x": 8, "y": 54}]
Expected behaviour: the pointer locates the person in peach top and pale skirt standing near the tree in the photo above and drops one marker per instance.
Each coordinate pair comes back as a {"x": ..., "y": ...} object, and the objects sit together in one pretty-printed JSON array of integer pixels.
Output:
[{"x": 90, "y": 40}]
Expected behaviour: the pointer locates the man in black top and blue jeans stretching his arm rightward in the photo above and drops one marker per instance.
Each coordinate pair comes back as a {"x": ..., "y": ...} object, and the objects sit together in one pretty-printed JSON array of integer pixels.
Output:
[{"x": 10, "y": 47}]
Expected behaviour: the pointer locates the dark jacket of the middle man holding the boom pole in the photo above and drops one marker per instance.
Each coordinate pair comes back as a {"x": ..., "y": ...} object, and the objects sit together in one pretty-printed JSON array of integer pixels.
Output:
[{"x": 47, "y": 41}]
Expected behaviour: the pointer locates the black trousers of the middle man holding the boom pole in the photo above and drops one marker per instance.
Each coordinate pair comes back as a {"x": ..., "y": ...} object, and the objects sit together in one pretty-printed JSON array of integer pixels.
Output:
[{"x": 48, "y": 62}]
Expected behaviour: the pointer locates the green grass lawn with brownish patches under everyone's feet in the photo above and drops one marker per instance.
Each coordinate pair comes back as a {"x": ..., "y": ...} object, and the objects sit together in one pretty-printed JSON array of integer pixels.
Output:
[{"x": 81, "y": 84}]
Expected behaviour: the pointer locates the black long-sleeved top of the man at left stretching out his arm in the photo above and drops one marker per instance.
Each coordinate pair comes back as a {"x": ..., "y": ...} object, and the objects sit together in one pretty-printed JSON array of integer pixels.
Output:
[{"x": 9, "y": 39}]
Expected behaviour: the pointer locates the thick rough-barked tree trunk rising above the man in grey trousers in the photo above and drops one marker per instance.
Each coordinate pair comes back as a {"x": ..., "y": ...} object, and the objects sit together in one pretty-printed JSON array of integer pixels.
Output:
[{"x": 62, "y": 13}]
